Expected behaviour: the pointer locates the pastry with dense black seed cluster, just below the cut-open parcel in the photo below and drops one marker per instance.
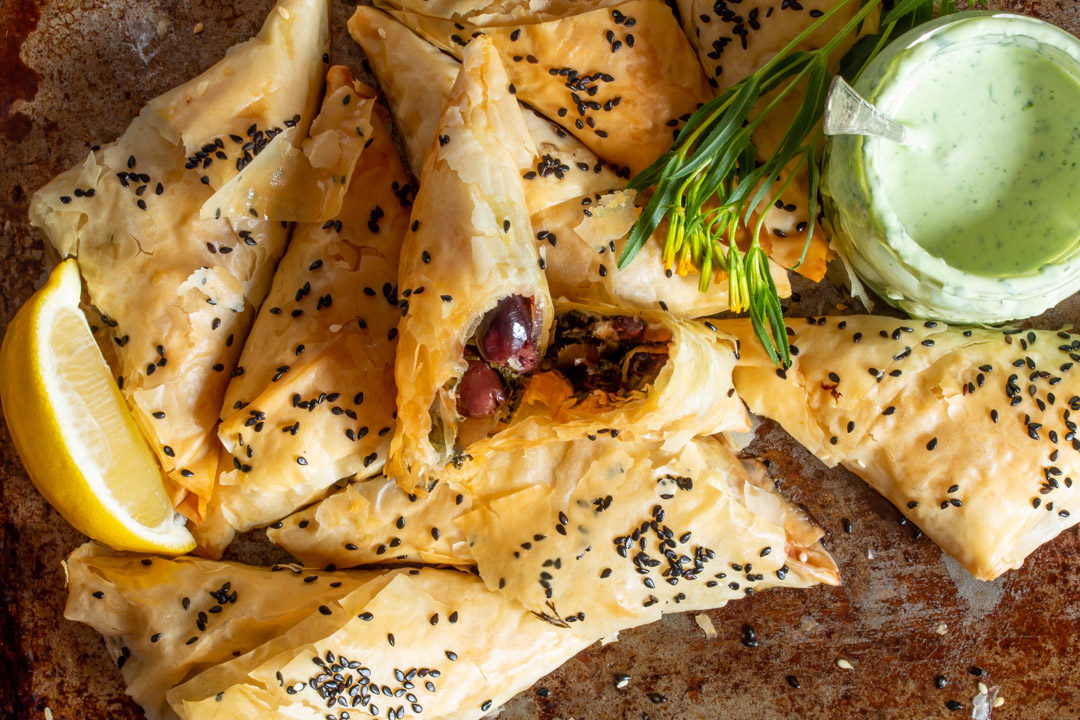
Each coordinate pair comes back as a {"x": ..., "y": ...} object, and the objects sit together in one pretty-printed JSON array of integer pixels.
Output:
[{"x": 580, "y": 533}]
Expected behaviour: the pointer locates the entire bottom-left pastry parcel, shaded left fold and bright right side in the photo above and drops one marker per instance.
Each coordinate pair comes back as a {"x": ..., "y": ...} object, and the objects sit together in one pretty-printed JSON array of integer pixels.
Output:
[{"x": 288, "y": 643}]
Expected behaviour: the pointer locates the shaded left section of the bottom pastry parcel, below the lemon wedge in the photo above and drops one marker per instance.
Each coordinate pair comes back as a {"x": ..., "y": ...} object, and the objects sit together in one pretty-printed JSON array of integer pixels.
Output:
[{"x": 151, "y": 608}]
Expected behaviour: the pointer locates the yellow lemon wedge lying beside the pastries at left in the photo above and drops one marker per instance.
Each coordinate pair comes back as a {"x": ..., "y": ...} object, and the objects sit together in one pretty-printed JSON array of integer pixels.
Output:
[{"x": 73, "y": 428}]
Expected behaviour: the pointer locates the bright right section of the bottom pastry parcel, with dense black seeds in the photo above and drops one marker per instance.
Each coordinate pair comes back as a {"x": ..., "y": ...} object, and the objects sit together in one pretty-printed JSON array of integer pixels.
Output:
[{"x": 433, "y": 640}]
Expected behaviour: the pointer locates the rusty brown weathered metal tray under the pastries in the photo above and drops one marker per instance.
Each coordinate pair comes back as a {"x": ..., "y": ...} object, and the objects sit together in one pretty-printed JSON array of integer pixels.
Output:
[{"x": 74, "y": 74}]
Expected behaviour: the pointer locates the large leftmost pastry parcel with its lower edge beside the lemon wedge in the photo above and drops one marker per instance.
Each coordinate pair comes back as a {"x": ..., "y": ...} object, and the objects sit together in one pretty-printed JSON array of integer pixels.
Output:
[{"x": 178, "y": 291}]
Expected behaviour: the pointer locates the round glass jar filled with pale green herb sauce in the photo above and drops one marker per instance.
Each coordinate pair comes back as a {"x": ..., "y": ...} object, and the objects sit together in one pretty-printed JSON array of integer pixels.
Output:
[{"x": 976, "y": 219}]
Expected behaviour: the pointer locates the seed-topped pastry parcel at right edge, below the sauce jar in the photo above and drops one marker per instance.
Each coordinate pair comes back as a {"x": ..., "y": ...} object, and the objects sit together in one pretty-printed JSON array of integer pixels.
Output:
[{"x": 969, "y": 432}]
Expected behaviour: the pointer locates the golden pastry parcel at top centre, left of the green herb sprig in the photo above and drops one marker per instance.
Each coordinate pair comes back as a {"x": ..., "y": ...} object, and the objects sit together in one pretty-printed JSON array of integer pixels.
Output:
[{"x": 622, "y": 79}]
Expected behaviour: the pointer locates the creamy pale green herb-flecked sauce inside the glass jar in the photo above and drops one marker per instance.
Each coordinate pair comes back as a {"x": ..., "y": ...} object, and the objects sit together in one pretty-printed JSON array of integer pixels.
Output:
[{"x": 993, "y": 184}]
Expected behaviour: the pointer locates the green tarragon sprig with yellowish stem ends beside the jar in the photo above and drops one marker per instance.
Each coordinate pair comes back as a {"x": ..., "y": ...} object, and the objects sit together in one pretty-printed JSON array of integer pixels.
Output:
[{"x": 711, "y": 182}]
